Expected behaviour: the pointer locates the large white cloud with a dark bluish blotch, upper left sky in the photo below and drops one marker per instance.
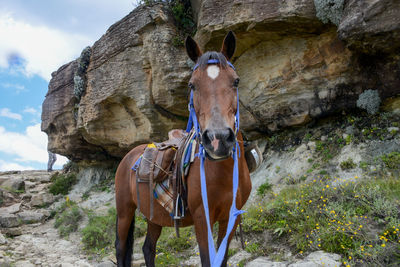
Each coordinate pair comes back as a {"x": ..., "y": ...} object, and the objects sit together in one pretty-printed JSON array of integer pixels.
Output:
[{"x": 36, "y": 49}]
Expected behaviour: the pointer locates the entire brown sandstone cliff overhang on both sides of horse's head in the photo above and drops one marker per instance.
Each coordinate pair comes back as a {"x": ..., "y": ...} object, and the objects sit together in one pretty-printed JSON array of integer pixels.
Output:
[{"x": 293, "y": 69}]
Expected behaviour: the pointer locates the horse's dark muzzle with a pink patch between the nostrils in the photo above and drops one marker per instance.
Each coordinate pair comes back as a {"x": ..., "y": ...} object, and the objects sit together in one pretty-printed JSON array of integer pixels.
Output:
[{"x": 218, "y": 143}]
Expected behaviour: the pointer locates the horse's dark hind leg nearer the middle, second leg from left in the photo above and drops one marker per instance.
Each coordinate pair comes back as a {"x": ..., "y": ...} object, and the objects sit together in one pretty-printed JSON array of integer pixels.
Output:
[{"x": 149, "y": 246}]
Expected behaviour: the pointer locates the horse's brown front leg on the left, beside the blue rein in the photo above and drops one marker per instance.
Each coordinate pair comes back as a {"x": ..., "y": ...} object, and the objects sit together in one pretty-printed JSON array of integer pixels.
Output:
[{"x": 200, "y": 226}]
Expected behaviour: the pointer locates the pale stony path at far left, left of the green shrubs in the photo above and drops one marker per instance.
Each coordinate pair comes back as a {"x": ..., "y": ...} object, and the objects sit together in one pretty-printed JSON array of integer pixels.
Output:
[{"x": 28, "y": 237}]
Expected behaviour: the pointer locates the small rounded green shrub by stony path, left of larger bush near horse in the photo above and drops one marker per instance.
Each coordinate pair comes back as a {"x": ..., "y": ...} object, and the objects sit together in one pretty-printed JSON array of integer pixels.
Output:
[{"x": 67, "y": 218}]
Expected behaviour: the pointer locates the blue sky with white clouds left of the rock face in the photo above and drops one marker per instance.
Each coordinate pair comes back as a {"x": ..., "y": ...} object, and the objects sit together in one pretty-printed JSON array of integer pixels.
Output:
[{"x": 36, "y": 38}]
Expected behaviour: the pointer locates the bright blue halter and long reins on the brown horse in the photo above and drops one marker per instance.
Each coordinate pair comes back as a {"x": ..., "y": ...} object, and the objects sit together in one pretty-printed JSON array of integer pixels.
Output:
[{"x": 216, "y": 257}]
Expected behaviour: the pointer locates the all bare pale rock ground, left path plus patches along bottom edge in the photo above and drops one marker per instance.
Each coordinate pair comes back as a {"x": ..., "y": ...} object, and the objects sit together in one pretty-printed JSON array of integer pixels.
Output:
[{"x": 28, "y": 236}]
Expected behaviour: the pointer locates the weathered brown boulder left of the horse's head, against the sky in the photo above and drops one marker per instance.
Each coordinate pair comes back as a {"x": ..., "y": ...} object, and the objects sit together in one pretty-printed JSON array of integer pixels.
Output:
[{"x": 136, "y": 90}]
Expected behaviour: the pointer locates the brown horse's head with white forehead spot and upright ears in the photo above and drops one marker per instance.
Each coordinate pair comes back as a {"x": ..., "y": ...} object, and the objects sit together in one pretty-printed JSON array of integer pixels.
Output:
[{"x": 214, "y": 83}]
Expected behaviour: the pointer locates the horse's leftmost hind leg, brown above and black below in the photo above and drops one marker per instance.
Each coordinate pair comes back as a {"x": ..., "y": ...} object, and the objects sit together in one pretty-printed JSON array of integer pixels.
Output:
[{"x": 124, "y": 237}]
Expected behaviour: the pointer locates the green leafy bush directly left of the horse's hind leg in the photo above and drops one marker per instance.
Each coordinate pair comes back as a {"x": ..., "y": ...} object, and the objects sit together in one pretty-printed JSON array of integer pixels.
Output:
[{"x": 99, "y": 234}]
